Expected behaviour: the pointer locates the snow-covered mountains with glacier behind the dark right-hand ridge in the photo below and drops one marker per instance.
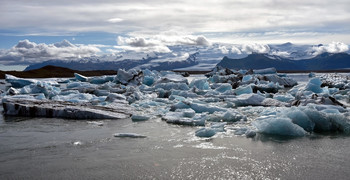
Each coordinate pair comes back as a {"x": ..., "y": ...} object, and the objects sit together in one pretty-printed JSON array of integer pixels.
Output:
[{"x": 190, "y": 57}]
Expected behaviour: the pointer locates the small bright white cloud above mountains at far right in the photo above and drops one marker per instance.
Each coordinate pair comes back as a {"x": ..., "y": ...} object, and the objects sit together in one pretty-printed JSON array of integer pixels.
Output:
[{"x": 334, "y": 47}]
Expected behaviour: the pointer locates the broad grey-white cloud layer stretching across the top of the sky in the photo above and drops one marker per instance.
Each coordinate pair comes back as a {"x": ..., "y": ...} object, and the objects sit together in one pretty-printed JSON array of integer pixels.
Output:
[{"x": 40, "y": 16}]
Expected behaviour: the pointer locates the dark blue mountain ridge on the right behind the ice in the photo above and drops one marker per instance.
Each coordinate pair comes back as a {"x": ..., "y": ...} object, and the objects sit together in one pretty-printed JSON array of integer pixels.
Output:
[{"x": 325, "y": 61}]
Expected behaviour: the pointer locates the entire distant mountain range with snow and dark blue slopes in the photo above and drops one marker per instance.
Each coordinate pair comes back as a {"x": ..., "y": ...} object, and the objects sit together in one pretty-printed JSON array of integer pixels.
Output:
[{"x": 285, "y": 56}]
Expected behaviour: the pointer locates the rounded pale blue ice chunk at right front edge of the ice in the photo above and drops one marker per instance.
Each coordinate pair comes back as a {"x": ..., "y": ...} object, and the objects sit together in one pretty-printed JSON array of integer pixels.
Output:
[{"x": 278, "y": 126}]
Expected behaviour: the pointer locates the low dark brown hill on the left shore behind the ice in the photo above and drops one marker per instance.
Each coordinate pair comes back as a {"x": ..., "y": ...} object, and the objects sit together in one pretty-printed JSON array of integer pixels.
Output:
[{"x": 53, "y": 71}]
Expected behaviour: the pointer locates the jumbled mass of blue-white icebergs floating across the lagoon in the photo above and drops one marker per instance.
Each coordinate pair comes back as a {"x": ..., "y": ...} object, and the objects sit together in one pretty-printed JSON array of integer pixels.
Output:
[{"x": 241, "y": 103}]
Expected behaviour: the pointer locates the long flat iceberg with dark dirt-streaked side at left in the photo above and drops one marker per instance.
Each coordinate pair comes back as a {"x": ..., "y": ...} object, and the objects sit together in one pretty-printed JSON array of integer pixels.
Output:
[{"x": 47, "y": 108}]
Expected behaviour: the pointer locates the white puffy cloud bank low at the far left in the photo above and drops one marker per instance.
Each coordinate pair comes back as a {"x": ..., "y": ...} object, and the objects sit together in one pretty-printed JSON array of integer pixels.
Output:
[{"x": 27, "y": 52}]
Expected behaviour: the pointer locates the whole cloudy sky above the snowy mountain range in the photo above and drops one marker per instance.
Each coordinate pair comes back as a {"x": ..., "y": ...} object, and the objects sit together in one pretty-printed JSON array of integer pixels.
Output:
[{"x": 94, "y": 27}]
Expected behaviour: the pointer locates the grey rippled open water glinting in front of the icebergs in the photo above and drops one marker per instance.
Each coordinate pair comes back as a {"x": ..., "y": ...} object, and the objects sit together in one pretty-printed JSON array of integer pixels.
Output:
[{"x": 43, "y": 148}]
